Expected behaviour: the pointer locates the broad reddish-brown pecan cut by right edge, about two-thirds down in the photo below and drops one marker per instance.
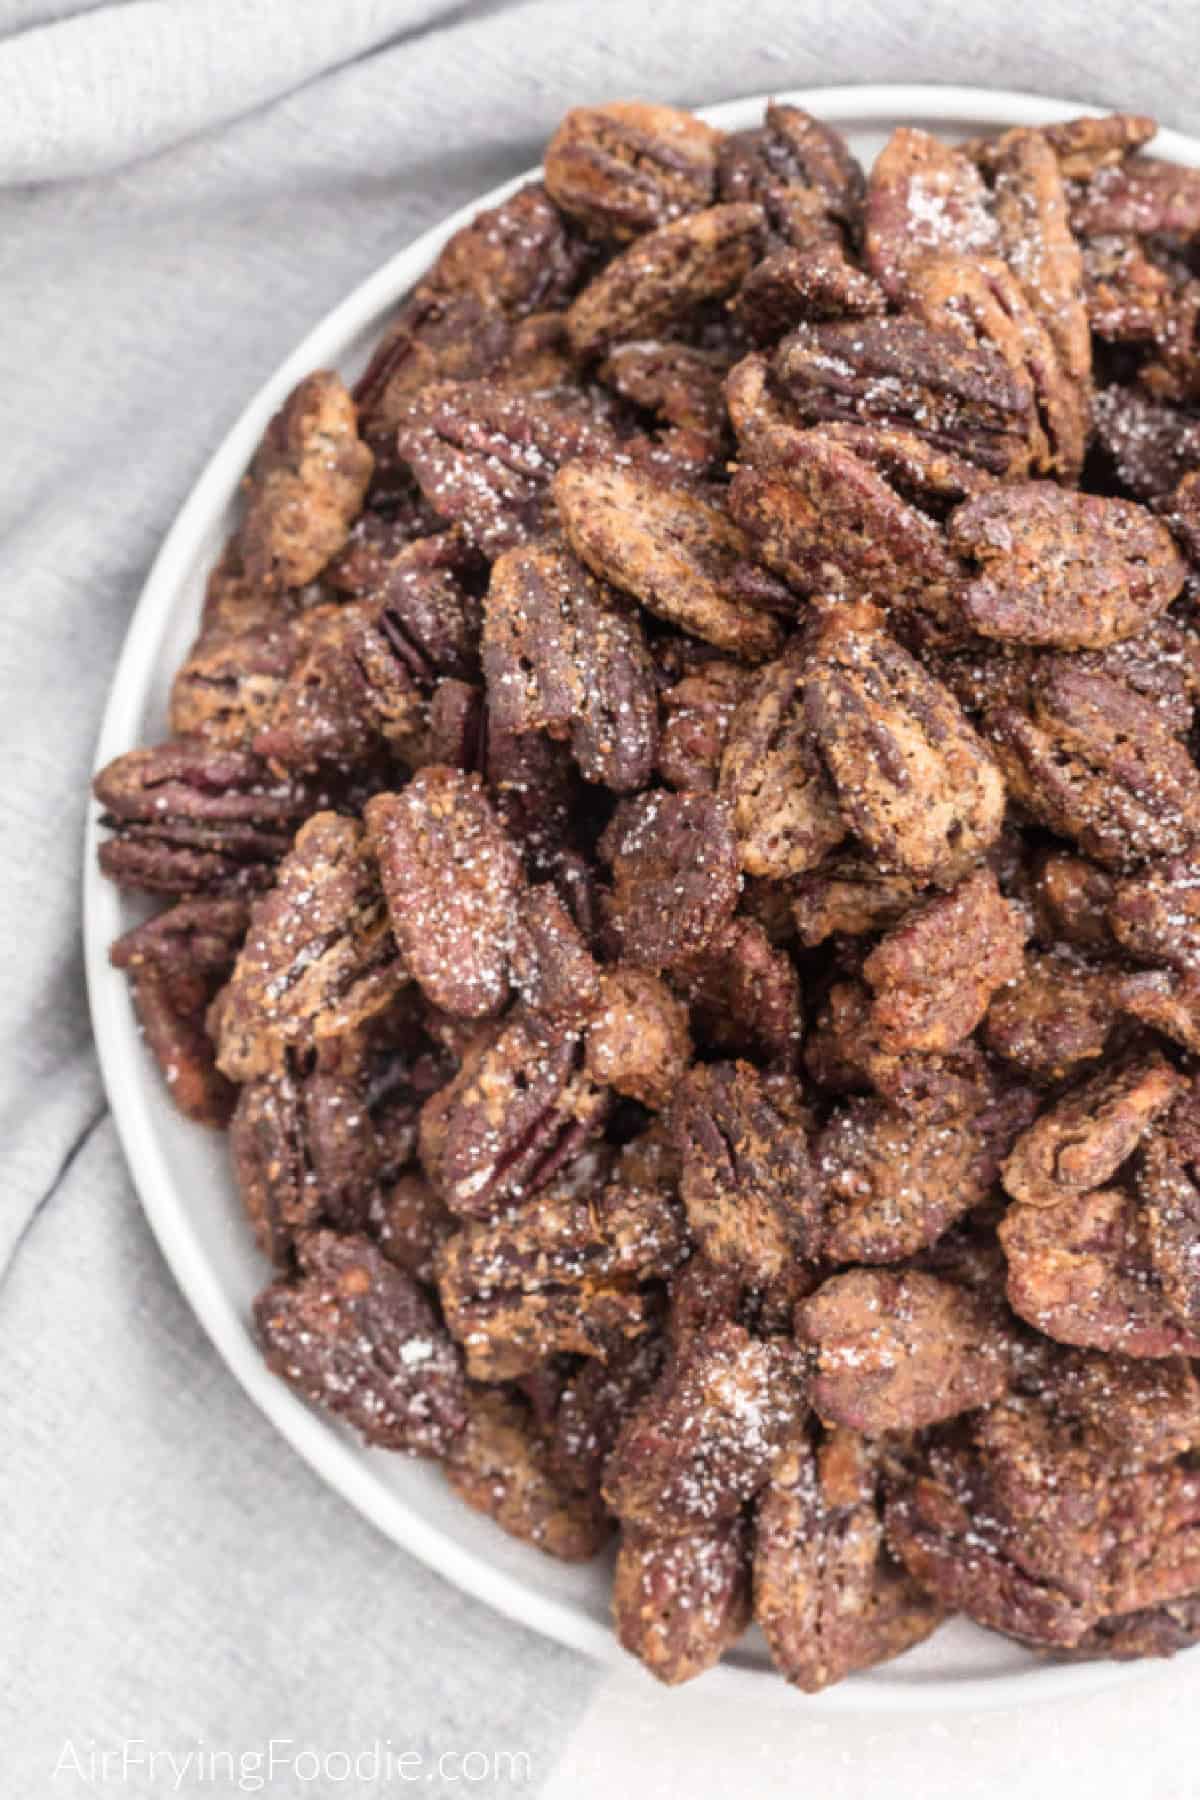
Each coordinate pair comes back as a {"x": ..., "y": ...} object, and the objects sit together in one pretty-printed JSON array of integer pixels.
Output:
[{"x": 1082, "y": 1273}]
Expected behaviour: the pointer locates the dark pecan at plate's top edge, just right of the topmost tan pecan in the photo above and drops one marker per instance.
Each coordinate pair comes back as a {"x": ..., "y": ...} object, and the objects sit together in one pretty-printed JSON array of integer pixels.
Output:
[{"x": 800, "y": 172}]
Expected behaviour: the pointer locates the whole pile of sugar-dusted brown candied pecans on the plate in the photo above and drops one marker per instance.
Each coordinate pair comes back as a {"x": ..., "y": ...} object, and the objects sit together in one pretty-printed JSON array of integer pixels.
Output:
[{"x": 681, "y": 838}]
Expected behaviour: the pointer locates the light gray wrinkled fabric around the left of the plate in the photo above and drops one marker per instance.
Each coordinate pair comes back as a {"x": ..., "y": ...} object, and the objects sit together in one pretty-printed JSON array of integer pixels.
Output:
[{"x": 186, "y": 186}]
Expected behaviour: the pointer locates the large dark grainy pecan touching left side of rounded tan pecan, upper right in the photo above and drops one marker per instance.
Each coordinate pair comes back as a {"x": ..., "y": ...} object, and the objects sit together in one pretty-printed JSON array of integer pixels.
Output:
[{"x": 828, "y": 523}]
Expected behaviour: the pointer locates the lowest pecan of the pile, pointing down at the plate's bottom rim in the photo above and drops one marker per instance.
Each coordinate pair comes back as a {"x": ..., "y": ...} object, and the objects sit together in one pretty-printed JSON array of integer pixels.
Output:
[{"x": 828, "y": 1594}]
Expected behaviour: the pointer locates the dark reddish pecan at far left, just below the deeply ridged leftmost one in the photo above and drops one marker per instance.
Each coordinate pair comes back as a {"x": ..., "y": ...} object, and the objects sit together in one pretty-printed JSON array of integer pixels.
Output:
[{"x": 175, "y": 964}]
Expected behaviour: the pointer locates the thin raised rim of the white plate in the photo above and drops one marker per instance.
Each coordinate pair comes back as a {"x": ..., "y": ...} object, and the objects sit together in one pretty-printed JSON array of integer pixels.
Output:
[{"x": 337, "y": 1461}]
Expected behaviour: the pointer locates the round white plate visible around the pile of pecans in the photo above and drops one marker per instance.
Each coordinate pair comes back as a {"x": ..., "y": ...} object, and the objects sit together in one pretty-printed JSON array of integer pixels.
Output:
[{"x": 183, "y": 1173}]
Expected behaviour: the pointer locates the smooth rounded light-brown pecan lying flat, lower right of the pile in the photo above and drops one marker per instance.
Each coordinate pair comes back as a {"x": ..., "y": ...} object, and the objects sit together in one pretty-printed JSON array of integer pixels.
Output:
[{"x": 899, "y": 1353}]
